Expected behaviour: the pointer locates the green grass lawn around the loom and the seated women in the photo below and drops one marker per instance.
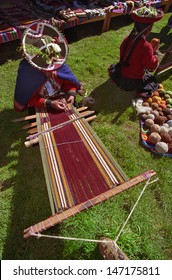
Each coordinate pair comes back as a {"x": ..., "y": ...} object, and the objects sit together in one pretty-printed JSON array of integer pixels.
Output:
[{"x": 23, "y": 196}]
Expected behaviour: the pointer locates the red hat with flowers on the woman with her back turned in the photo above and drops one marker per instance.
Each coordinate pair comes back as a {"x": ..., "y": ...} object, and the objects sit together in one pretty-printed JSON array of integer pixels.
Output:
[{"x": 142, "y": 15}]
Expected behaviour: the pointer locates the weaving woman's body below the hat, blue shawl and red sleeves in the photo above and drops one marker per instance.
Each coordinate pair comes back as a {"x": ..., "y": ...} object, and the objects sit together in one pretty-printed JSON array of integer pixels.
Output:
[{"x": 41, "y": 89}]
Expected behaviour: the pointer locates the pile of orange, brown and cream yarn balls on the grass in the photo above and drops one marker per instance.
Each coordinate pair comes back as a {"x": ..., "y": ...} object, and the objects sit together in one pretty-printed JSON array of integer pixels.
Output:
[{"x": 156, "y": 122}]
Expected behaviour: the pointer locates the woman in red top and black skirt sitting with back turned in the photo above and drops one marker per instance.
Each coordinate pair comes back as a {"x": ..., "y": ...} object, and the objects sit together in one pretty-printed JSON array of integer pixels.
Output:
[{"x": 137, "y": 55}]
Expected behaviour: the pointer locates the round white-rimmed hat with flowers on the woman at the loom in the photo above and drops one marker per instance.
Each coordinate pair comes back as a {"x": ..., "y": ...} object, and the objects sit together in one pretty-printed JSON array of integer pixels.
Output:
[{"x": 44, "y": 47}]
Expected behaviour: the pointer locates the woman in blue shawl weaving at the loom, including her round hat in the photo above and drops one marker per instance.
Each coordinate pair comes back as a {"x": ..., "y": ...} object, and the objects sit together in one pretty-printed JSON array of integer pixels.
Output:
[{"x": 44, "y": 80}]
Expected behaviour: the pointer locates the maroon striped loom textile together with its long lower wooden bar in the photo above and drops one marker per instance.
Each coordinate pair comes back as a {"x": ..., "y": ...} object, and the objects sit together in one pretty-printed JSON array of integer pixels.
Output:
[{"x": 79, "y": 171}]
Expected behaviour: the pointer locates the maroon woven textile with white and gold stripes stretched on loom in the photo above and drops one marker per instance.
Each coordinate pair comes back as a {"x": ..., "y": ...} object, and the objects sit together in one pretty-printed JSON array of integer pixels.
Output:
[{"x": 76, "y": 164}]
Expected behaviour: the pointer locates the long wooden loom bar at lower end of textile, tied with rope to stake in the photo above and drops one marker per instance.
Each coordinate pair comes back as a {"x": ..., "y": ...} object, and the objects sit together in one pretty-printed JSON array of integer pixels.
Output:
[{"x": 57, "y": 218}]
